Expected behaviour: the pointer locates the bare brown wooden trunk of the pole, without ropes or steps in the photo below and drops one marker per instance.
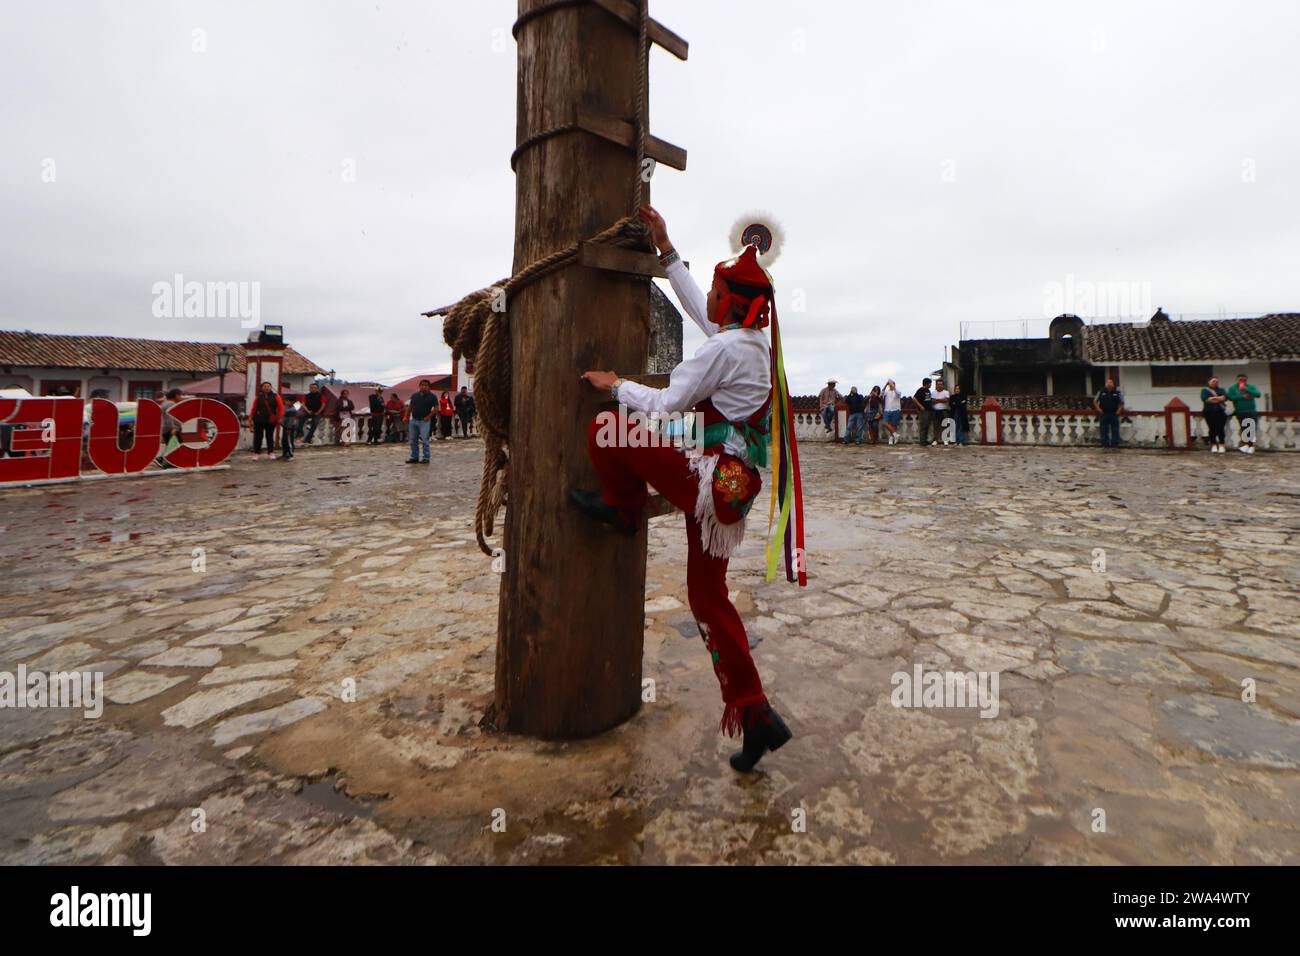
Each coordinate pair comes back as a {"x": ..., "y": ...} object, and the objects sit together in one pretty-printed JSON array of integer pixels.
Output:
[{"x": 571, "y": 616}]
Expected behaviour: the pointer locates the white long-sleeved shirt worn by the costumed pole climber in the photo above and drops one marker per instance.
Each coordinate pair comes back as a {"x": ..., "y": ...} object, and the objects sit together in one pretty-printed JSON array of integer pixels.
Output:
[{"x": 733, "y": 369}]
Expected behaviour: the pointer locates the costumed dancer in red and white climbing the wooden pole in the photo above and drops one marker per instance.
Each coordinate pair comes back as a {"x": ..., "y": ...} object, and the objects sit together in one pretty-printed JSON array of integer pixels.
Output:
[{"x": 730, "y": 386}]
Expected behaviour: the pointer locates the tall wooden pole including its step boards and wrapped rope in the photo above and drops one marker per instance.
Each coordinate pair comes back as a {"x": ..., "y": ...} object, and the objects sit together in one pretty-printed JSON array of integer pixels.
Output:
[{"x": 571, "y": 615}]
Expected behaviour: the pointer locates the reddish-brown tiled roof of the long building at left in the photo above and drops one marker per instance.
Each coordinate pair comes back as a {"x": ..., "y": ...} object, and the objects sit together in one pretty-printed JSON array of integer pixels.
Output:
[{"x": 111, "y": 352}]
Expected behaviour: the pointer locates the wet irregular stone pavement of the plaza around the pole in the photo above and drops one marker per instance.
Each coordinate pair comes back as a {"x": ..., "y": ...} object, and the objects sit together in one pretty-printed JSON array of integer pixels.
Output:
[{"x": 1121, "y": 690}]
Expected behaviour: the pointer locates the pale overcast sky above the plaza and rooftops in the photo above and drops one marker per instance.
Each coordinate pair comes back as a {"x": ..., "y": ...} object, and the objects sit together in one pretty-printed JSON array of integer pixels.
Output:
[{"x": 931, "y": 163}]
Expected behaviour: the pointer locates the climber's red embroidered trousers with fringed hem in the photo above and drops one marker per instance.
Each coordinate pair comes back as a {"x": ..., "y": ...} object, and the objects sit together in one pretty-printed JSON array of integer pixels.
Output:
[{"x": 625, "y": 474}]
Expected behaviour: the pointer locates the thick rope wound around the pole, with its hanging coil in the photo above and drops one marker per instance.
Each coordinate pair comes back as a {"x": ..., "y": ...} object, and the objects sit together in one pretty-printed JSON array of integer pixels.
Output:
[{"x": 478, "y": 326}]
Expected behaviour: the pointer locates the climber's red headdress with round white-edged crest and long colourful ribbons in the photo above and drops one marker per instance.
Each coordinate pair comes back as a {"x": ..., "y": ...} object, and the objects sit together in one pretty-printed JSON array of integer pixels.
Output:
[{"x": 751, "y": 287}]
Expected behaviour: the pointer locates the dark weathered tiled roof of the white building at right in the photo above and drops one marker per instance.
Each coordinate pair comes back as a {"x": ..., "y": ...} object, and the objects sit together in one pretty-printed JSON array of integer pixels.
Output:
[{"x": 1268, "y": 339}]
